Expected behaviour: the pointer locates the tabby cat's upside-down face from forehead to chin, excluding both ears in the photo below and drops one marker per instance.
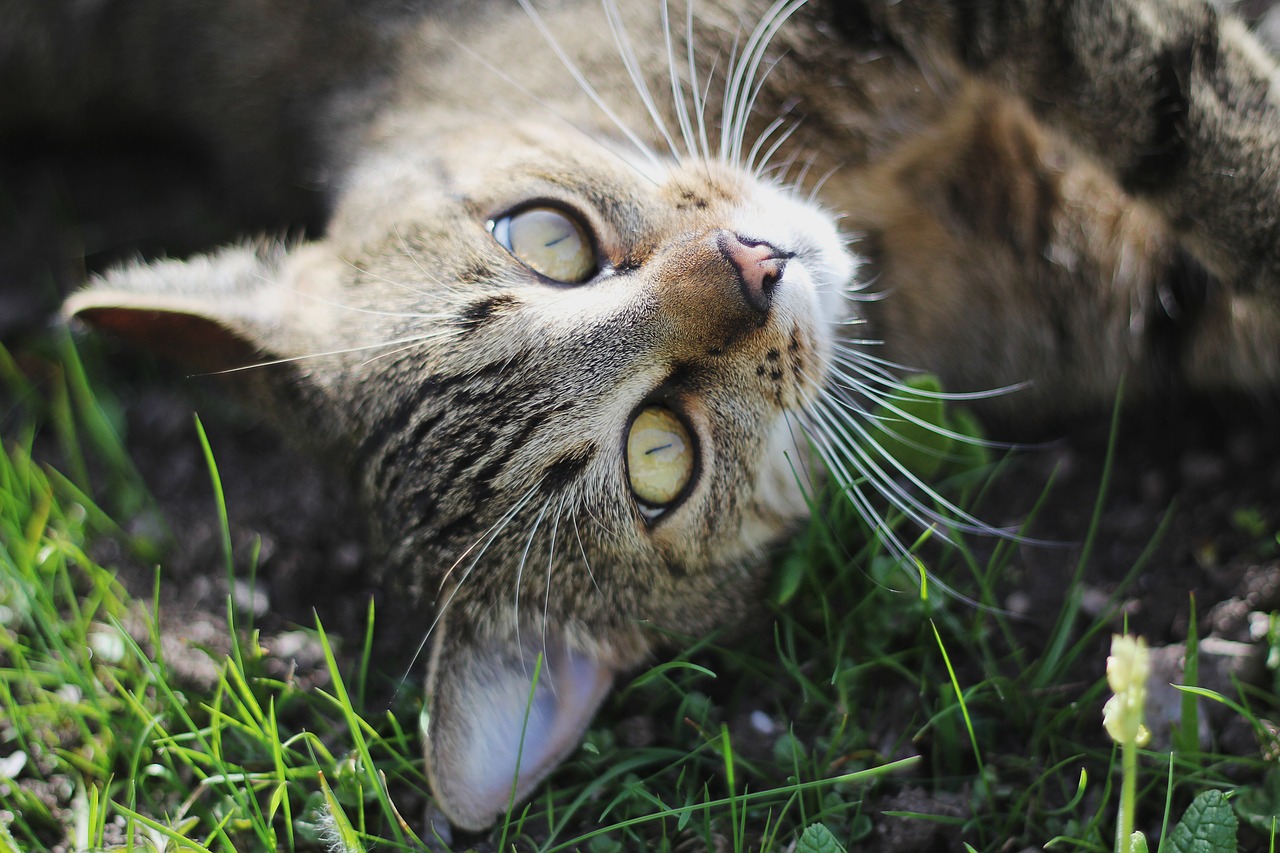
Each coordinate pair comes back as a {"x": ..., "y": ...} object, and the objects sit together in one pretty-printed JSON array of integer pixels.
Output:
[{"x": 543, "y": 358}]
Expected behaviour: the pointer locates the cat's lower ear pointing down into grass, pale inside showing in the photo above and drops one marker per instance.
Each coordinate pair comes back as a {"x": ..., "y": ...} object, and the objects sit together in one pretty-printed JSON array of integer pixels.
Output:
[{"x": 488, "y": 718}]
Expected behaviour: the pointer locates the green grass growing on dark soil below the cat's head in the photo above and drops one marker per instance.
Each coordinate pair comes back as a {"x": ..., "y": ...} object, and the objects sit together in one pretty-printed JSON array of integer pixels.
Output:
[{"x": 854, "y": 703}]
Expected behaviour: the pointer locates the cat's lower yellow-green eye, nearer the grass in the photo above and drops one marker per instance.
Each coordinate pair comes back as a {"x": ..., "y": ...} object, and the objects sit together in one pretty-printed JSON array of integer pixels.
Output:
[{"x": 660, "y": 459}]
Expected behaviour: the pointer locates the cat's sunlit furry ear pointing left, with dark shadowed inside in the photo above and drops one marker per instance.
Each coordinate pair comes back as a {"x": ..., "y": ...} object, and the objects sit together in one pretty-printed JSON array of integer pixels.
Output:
[{"x": 214, "y": 312}]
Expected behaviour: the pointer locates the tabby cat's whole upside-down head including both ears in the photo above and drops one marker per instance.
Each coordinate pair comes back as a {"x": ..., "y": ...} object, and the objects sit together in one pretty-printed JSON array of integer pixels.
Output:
[{"x": 570, "y": 387}]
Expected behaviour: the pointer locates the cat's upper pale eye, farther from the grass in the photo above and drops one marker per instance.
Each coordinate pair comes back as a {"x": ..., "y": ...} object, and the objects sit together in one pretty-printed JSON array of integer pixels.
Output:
[{"x": 550, "y": 243}]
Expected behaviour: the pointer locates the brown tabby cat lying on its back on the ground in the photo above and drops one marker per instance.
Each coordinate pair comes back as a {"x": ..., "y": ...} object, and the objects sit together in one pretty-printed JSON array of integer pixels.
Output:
[{"x": 604, "y": 289}]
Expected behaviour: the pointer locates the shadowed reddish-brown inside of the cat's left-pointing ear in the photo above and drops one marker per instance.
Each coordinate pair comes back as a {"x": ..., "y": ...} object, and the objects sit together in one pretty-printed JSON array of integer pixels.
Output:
[{"x": 186, "y": 337}]
